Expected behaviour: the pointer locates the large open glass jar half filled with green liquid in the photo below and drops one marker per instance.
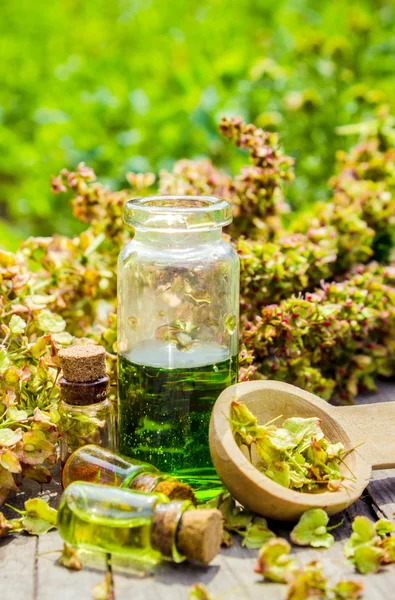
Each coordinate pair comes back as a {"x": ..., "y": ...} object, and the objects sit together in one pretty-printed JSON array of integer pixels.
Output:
[{"x": 178, "y": 303}]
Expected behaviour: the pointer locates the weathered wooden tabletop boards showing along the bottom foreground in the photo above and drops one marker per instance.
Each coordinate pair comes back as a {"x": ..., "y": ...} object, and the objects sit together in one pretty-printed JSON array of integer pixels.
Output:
[{"x": 231, "y": 574}]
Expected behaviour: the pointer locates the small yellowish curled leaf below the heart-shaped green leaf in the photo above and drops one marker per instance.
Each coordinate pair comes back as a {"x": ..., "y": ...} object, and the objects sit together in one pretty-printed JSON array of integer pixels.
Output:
[{"x": 274, "y": 562}]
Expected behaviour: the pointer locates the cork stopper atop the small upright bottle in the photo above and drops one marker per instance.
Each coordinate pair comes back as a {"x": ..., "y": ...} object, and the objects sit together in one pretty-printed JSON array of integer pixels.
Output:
[{"x": 83, "y": 363}]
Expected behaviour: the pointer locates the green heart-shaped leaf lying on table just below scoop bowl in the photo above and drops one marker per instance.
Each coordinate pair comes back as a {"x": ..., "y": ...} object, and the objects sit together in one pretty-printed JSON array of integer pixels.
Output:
[{"x": 311, "y": 530}]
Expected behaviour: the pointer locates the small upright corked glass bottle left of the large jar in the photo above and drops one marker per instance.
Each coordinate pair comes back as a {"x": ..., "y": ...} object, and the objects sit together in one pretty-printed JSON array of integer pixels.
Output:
[{"x": 86, "y": 414}]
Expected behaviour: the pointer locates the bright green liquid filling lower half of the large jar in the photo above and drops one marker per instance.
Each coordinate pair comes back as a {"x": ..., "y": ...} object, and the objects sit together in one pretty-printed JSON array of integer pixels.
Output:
[{"x": 164, "y": 413}]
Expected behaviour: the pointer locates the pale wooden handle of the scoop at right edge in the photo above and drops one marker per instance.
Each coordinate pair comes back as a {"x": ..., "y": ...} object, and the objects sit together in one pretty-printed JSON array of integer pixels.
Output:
[{"x": 374, "y": 426}]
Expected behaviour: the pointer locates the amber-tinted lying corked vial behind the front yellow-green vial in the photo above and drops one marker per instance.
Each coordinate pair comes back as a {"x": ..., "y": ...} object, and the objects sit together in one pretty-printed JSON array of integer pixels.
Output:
[{"x": 95, "y": 464}]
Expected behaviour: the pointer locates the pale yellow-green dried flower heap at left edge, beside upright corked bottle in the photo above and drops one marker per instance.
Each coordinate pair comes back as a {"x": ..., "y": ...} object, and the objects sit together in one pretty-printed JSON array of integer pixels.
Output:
[{"x": 31, "y": 334}]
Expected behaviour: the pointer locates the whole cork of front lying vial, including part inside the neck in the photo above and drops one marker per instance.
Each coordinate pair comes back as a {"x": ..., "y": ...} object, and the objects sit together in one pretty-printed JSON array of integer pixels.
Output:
[{"x": 196, "y": 534}]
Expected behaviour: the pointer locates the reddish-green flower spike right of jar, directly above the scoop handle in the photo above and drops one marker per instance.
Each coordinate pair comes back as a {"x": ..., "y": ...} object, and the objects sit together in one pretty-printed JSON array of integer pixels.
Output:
[{"x": 332, "y": 341}]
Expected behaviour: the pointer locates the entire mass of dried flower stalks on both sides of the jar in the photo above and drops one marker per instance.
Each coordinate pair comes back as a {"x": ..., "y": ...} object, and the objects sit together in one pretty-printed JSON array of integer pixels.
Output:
[{"x": 330, "y": 337}]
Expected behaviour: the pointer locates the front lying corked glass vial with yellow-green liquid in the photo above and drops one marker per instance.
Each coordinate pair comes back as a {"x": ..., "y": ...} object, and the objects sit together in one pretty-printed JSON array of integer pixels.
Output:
[{"x": 141, "y": 526}]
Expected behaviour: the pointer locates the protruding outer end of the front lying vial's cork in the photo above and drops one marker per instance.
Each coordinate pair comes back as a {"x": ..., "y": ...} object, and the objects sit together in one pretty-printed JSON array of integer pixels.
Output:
[{"x": 199, "y": 534}]
